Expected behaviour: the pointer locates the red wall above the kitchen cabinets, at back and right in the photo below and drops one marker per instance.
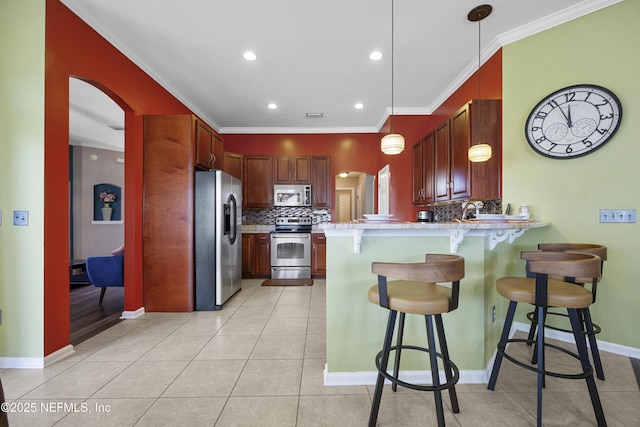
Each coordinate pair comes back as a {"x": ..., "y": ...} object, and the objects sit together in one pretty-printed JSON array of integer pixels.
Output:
[{"x": 361, "y": 152}]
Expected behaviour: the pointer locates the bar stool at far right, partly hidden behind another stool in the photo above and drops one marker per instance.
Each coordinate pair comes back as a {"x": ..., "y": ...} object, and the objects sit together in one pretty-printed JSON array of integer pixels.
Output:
[{"x": 588, "y": 248}]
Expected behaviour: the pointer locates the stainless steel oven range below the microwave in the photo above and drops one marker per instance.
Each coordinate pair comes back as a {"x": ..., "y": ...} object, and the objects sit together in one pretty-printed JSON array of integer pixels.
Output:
[{"x": 291, "y": 248}]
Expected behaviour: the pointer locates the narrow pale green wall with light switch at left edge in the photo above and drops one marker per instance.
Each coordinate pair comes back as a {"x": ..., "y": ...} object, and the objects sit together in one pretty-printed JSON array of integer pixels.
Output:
[{"x": 22, "y": 176}]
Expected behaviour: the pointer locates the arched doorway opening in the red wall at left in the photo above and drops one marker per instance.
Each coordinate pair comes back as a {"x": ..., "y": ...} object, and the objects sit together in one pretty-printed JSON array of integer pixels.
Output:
[{"x": 96, "y": 160}]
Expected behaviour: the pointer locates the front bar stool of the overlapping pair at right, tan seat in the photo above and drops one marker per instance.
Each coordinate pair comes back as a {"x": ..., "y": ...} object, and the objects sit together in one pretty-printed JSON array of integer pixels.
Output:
[{"x": 544, "y": 291}]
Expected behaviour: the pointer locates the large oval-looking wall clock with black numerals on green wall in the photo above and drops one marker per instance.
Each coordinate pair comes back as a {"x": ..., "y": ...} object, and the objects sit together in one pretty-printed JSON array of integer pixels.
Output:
[{"x": 573, "y": 121}]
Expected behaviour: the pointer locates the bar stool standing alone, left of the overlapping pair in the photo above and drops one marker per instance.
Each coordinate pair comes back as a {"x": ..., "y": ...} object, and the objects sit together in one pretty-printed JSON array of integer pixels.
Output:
[{"x": 415, "y": 291}]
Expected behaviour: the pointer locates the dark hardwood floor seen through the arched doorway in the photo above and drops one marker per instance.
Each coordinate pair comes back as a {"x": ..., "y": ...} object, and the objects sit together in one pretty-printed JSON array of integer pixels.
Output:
[{"x": 87, "y": 316}]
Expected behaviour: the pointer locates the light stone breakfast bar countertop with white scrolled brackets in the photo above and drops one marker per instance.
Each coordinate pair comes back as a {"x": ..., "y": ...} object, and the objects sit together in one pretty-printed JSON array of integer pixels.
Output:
[{"x": 456, "y": 231}]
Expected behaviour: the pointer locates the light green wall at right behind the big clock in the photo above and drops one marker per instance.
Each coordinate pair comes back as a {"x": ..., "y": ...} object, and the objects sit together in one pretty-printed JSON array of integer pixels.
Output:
[{"x": 600, "y": 48}]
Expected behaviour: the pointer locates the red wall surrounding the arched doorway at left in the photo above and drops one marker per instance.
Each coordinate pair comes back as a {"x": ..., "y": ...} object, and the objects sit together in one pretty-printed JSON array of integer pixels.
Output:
[{"x": 74, "y": 49}]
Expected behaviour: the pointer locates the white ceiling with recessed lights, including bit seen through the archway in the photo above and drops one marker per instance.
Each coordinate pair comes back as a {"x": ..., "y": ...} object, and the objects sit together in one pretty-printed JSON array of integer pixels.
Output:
[{"x": 312, "y": 57}]
